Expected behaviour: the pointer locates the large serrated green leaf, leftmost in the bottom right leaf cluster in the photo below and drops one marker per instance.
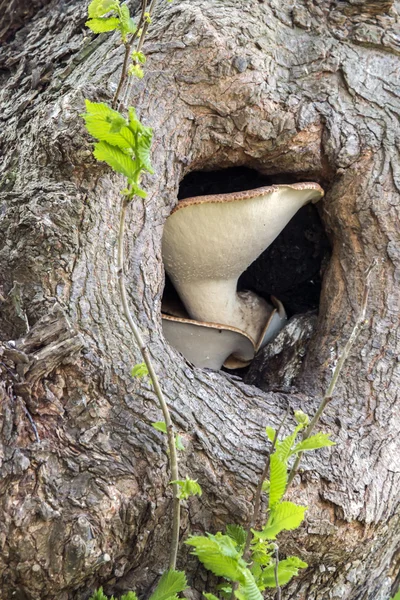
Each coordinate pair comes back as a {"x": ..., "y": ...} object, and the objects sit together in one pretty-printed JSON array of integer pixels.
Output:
[{"x": 219, "y": 555}]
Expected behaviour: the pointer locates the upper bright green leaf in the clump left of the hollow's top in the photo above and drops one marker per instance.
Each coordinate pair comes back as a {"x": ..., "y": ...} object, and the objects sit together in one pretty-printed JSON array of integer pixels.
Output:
[{"x": 108, "y": 125}]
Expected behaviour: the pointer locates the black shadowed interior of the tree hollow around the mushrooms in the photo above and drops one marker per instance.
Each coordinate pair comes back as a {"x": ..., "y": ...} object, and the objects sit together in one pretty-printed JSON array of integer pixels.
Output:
[{"x": 291, "y": 268}]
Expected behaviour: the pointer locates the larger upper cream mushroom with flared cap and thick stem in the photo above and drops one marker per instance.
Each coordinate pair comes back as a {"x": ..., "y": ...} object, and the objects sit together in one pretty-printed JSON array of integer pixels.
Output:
[{"x": 209, "y": 241}]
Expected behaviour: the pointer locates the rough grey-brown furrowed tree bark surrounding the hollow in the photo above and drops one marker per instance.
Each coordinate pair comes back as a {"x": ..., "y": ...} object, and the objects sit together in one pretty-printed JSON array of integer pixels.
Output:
[{"x": 309, "y": 91}]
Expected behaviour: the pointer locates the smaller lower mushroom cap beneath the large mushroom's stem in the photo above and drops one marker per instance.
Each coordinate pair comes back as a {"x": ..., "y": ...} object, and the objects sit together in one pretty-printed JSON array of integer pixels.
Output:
[{"x": 206, "y": 344}]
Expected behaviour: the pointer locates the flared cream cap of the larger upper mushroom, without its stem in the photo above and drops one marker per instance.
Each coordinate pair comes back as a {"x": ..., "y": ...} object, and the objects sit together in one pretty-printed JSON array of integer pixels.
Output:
[{"x": 220, "y": 236}]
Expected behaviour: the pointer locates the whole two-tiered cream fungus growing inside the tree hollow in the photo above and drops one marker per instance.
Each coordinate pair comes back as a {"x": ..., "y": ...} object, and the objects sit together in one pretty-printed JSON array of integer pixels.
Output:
[{"x": 208, "y": 242}]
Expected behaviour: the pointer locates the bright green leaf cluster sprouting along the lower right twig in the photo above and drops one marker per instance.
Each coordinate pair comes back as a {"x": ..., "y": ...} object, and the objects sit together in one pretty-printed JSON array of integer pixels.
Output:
[{"x": 225, "y": 554}]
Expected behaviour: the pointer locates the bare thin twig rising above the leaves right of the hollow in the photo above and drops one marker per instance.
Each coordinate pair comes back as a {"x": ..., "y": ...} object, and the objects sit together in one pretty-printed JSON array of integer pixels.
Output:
[{"x": 337, "y": 370}]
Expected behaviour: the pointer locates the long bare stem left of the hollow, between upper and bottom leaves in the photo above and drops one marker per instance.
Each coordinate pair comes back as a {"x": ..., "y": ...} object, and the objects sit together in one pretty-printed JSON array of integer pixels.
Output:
[{"x": 157, "y": 388}]
